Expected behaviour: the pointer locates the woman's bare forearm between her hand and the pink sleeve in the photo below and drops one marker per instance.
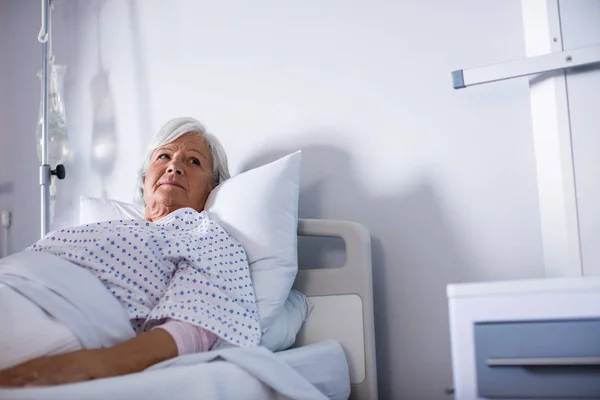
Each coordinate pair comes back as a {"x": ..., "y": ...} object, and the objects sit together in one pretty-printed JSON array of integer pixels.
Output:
[{"x": 138, "y": 353}]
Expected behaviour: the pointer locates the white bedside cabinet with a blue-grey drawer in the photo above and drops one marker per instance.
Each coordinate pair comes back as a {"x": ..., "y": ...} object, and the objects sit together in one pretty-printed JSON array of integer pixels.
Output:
[{"x": 530, "y": 339}]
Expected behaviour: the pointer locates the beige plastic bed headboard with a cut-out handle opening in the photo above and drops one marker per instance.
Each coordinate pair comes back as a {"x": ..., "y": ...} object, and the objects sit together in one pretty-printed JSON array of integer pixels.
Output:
[{"x": 343, "y": 302}]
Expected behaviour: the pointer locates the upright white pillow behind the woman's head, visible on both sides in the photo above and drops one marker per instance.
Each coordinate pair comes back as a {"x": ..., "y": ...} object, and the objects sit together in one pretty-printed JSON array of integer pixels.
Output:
[{"x": 259, "y": 208}]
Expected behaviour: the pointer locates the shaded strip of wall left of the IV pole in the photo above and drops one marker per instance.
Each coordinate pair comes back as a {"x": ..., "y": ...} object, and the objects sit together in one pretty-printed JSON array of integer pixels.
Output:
[{"x": 20, "y": 57}]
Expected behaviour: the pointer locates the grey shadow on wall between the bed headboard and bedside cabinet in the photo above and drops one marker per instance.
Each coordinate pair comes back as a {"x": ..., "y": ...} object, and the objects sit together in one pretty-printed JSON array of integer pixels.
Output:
[{"x": 415, "y": 254}]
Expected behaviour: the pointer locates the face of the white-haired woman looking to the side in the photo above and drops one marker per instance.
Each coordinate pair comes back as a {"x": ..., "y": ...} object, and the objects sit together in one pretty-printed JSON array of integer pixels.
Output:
[{"x": 179, "y": 175}]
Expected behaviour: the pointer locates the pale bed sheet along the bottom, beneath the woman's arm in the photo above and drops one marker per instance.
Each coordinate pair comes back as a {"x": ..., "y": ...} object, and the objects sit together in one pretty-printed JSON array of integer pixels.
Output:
[{"x": 322, "y": 364}]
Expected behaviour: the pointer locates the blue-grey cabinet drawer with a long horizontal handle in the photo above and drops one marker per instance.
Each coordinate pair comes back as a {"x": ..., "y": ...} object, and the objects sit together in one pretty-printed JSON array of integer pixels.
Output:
[{"x": 538, "y": 359}]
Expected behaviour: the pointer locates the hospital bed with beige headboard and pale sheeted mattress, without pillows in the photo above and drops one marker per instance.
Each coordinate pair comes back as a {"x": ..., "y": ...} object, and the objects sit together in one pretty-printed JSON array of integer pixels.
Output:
[{"x": 334, "y": 350}]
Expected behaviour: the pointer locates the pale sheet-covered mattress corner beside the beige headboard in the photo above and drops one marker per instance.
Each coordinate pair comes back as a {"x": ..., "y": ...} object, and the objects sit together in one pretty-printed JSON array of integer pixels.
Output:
[{"x": 324, "y": 365}]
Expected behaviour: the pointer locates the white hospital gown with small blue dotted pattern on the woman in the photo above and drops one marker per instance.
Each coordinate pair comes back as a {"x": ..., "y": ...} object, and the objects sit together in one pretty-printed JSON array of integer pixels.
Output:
[{"x": 183, "y": 266}]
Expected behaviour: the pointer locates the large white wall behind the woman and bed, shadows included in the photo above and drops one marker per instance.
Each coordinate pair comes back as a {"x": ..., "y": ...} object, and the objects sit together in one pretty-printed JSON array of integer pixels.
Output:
[{"x": 444, "y": 179}]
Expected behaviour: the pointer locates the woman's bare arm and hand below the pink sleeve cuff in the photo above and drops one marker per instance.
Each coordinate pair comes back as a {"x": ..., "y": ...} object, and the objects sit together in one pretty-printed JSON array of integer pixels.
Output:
[{"x": 131, "y": 356}]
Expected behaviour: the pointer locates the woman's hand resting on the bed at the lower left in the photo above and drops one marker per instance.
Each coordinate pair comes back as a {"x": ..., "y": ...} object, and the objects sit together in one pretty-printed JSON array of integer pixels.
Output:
[{"x": 80, "y": 365}]
